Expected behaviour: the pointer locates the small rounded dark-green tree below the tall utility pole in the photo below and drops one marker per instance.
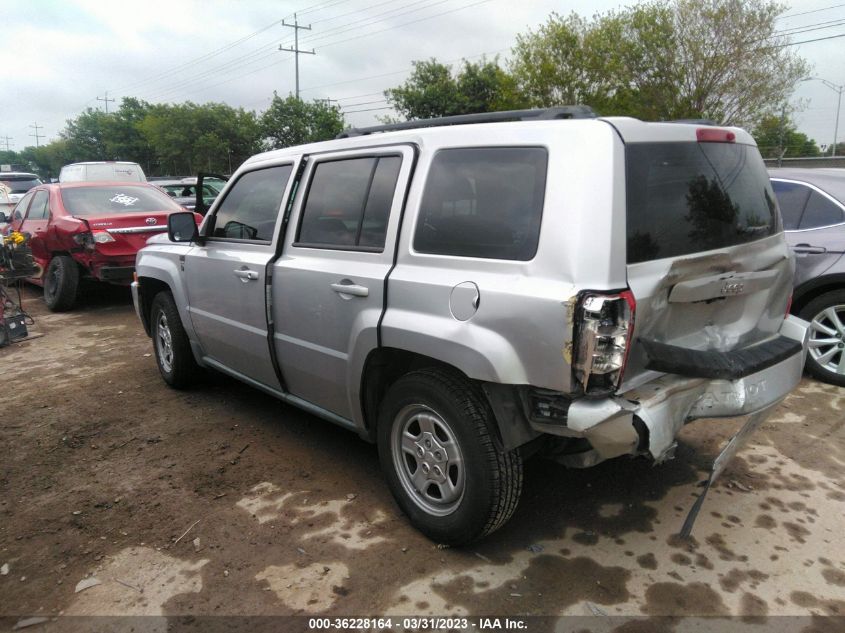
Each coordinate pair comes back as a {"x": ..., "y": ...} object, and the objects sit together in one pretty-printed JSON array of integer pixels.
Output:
[{"x": 292, "y": 121}]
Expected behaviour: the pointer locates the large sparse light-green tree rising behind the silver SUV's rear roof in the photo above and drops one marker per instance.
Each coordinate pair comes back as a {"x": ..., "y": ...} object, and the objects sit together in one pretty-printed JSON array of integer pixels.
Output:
[{"x": 715, "y": 59}]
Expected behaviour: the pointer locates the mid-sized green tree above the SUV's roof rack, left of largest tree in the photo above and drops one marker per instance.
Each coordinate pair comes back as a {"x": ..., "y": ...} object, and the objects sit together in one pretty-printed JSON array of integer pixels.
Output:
[{"x": 433, "y": 90}]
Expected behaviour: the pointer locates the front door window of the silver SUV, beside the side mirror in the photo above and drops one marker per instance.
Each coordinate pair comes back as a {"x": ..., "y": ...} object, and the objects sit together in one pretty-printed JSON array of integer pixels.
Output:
[{"x": 251, "y": 208}]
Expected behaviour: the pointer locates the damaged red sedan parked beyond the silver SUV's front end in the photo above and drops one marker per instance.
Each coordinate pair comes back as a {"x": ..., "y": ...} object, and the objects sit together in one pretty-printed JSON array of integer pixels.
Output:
[{"x": 89, "y": 230}]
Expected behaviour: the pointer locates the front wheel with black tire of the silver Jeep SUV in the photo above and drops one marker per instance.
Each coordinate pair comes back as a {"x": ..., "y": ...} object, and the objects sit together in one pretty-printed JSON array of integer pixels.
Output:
[{"x": 172, "y": 348}]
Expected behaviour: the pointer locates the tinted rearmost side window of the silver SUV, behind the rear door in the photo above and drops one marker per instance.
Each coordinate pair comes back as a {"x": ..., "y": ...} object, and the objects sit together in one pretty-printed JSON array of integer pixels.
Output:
[{"x": 485, "y": 202}]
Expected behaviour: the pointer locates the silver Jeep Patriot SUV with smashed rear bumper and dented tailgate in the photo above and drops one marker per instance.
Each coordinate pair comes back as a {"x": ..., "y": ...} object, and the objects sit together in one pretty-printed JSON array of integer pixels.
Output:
[{"x": 469, "y": 291}]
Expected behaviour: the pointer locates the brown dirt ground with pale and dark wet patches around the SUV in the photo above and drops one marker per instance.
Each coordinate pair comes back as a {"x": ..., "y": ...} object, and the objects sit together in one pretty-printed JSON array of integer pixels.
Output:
[{"x": 222, "y": 500}]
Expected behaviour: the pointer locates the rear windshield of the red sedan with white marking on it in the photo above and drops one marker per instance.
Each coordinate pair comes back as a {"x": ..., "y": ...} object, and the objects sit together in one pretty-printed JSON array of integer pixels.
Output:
[{"x": 111, "y": 200}]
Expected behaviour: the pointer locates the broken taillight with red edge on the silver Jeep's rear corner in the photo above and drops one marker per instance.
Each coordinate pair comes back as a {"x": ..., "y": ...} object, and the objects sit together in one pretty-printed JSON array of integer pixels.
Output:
[{"x": 604, "y": 324}]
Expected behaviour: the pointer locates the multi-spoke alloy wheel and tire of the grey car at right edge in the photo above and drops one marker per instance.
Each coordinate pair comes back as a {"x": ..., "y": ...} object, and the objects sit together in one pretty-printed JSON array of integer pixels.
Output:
[{"x": 814, "y": 312}]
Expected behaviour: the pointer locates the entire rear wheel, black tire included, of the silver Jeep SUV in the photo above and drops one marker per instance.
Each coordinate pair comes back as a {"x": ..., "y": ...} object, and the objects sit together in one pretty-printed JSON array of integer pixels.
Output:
[{"x": 491, "y": 481}]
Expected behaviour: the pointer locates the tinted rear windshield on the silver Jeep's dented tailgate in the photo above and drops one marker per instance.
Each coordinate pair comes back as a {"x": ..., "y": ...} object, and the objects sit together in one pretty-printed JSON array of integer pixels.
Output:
[{"x": 689, "y": 197}]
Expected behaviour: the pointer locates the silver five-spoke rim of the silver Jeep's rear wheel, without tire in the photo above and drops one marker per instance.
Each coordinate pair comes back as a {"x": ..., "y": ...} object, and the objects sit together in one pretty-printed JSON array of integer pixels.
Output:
[{"x": 428, "y": 459}]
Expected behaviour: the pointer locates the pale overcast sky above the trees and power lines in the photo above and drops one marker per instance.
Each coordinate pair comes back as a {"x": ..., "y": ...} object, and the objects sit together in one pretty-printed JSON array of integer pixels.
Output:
[{"x": 60, "y": 55}]
